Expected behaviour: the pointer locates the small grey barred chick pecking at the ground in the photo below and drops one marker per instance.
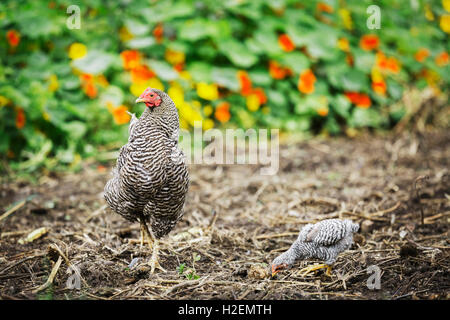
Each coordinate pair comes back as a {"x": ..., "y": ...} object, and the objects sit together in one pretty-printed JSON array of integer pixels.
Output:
[{"x": 323, "y": 240}]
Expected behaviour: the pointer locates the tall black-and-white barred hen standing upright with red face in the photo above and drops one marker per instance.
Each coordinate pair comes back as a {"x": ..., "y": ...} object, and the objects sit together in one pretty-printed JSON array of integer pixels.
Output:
[{"x": 150, "y": 180}]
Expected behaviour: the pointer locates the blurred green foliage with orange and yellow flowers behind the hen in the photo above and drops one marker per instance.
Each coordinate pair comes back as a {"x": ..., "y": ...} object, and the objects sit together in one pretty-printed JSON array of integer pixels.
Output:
[{"x": 310, "y": 66}]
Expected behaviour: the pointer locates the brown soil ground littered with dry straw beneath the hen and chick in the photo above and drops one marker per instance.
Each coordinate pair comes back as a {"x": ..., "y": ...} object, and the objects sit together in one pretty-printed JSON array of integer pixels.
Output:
[{"x": 237, "y": 221}]
